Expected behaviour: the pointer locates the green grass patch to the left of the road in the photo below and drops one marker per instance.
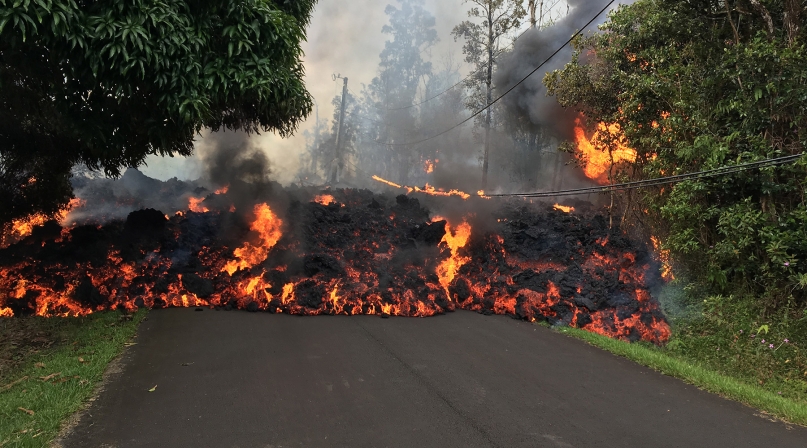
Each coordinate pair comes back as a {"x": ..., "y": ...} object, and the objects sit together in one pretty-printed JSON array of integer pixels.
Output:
[{"x": 54, "y": 366}]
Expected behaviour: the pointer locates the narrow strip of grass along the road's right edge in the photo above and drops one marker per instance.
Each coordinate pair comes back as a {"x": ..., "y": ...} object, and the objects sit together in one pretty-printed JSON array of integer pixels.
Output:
[{"x": 701, "y": 377}]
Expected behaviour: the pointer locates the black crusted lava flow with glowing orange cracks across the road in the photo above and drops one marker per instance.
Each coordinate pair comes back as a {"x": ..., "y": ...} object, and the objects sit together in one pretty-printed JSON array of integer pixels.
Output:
[{"x": 342, "y": 252}]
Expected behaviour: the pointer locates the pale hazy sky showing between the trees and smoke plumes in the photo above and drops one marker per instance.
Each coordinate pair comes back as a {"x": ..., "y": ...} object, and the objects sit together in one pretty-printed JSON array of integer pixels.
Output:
[{"x": 344, "y": 38}]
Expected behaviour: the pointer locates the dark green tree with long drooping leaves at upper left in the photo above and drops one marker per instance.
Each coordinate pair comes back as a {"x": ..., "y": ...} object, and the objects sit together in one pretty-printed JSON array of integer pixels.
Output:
[{"x": 108, "y": 83}]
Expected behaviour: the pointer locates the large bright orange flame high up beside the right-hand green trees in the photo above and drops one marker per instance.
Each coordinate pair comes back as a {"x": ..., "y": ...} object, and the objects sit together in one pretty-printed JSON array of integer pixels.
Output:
[{"x": 598, "y": 161}]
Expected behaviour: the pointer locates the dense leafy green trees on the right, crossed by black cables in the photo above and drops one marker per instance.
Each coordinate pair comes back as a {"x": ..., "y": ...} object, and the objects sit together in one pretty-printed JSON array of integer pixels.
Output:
[{"x": 697, "y": 85}]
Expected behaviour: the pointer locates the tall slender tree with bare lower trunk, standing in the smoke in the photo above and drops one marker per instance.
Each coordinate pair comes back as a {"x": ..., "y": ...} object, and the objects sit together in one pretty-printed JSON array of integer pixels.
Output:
[{"x": 482, "y": 47}]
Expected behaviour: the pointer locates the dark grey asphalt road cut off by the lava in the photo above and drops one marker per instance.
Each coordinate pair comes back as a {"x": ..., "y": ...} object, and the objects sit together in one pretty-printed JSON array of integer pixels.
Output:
[{"x": 237, "y": 379}]
